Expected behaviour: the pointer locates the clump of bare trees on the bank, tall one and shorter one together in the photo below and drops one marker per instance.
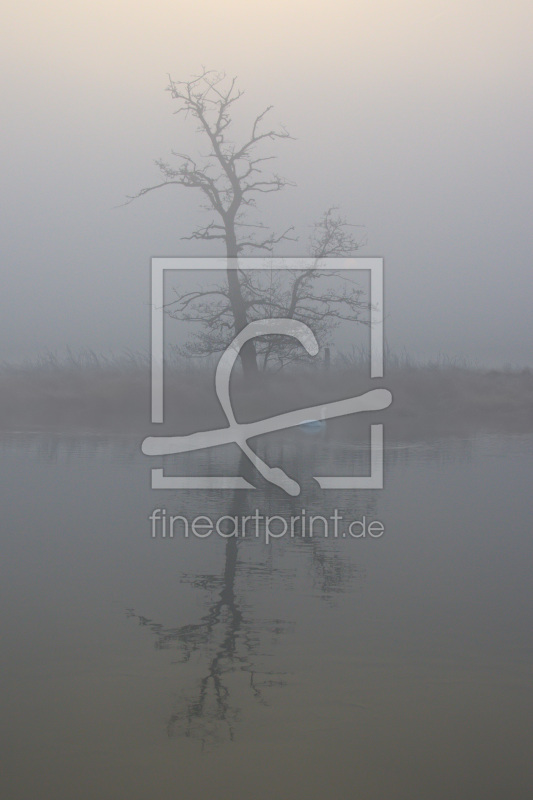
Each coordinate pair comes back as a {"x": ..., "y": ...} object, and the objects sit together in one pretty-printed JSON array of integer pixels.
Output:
[{"x": 231, "y": 176}]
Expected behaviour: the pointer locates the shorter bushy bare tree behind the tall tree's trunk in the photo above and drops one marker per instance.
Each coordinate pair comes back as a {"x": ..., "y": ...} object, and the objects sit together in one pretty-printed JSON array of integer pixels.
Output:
[{"x": 321, "y": 297}]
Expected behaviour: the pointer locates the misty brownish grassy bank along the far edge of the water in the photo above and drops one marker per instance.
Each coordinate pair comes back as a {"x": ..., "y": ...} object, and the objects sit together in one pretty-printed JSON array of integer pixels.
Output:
[{"x": 93, "y": 393}]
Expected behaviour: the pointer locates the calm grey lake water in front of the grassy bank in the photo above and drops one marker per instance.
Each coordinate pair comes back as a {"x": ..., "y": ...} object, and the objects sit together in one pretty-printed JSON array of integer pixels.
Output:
[{"x": 310, "y": 667}]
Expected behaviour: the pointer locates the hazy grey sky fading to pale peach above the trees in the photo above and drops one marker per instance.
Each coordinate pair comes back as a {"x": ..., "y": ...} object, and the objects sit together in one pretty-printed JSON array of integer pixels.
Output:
[{"x": 414, "y": 117}]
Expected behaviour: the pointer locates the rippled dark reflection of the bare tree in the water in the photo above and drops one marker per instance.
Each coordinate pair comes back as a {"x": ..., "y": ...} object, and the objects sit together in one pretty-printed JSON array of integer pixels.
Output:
[{"x": 229, "y": 641}]
